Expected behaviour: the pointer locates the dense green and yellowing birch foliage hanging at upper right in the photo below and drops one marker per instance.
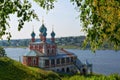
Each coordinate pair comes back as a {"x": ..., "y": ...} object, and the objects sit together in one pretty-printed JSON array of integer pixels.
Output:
[{"x": 101, "y": 21}]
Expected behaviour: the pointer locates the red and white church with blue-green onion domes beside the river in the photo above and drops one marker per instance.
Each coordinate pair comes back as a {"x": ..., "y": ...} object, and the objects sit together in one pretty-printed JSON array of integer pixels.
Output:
[{"x": 46, "y": 55}]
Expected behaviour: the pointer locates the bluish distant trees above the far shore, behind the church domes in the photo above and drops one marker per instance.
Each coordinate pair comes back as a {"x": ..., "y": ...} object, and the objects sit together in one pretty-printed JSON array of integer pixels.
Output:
[{"x": 73, "y": 40}]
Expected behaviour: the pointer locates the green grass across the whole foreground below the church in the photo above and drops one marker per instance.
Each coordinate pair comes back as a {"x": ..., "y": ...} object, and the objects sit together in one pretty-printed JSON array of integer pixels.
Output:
[{"x": 13, "y": 70}]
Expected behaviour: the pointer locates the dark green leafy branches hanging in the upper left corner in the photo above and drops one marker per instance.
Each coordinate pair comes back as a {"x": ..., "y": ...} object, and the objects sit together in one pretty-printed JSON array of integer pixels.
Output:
[{"x": 23, "y": 11}]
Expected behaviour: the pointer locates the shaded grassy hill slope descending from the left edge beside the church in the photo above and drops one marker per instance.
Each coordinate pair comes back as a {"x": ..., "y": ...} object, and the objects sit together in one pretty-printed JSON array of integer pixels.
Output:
[{"x": 13, "y": 70}]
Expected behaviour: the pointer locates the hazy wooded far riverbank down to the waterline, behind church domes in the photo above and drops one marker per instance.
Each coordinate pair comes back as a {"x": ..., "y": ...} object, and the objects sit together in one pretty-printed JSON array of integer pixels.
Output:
[{"x": 76, "y": 41}]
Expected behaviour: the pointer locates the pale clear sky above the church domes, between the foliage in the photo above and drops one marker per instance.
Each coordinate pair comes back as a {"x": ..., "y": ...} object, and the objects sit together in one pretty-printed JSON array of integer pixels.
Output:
[{"x": 63, "y": 18}]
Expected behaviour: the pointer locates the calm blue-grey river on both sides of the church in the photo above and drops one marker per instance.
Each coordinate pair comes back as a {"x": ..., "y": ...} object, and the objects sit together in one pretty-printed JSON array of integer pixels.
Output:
[{"x": 104, "y": 61}]
